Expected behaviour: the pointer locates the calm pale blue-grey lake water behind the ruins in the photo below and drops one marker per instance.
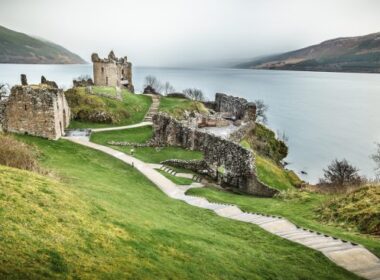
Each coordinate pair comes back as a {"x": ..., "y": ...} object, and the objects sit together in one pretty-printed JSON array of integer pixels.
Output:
[{"x": 325, "y": 115}]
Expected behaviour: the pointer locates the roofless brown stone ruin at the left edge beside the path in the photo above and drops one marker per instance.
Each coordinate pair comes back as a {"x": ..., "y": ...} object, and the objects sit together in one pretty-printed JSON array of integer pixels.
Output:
[{"x": 37, "y": 110}]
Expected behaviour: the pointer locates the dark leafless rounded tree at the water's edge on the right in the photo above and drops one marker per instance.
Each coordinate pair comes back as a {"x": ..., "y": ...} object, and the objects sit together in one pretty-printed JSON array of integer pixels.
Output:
[{"x": 341, "y": 173}]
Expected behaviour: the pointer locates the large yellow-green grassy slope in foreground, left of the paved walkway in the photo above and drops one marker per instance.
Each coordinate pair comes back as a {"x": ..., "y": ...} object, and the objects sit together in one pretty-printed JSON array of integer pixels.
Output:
[{"x": 107, "y": 221}]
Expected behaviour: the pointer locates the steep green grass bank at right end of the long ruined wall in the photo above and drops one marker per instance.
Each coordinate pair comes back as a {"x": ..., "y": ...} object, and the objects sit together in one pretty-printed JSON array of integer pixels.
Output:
[{"x": 275, "y": 176}]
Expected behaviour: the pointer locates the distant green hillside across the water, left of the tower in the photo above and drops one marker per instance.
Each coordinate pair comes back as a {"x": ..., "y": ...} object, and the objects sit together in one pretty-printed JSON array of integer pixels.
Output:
[{"x": 16, "y": 47}]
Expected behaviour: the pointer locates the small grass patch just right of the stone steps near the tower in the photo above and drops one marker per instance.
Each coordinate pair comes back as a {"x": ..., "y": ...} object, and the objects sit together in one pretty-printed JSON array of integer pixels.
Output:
[{"x": 177, "y": 106}]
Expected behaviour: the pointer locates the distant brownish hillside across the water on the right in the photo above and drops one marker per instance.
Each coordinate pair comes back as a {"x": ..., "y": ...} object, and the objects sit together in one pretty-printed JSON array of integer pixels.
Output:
[{"x": 351, "y": 54}]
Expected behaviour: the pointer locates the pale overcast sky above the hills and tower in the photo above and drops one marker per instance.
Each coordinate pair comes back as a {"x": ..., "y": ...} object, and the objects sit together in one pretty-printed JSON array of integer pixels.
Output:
[{"x": 183, "y": 32}]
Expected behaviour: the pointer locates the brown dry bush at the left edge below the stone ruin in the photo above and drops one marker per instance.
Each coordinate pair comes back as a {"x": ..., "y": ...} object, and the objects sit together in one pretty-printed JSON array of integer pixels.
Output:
[{"x": 17, "y": 154}]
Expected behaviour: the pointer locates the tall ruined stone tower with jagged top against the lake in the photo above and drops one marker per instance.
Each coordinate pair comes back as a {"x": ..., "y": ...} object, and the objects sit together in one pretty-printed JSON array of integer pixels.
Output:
[{"x": 112, "y": 71}]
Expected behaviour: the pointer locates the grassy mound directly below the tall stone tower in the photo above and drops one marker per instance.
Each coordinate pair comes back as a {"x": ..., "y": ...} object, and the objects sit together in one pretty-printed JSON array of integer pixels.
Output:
[{"x": 129, "y": 111}]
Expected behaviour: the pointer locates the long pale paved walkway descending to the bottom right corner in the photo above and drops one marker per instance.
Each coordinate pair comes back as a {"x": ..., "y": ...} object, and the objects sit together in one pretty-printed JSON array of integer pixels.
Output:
[{"x": 353, "y": 257}]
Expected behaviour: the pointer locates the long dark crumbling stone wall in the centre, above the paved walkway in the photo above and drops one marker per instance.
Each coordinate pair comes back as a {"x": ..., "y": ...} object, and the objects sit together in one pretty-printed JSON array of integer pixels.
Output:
[{"x": 230, "y": 163}]
